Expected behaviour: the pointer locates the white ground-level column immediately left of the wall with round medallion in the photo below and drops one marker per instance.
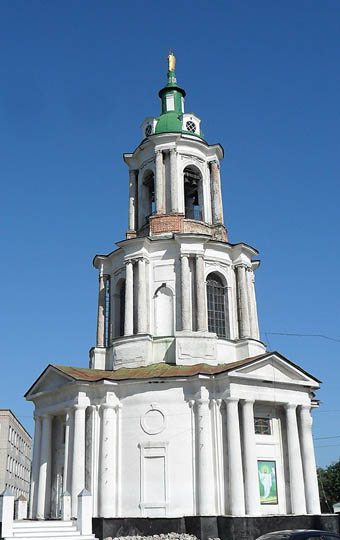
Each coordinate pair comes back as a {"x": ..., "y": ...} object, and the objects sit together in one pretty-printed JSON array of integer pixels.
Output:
[{"x": 107, "y": 484}]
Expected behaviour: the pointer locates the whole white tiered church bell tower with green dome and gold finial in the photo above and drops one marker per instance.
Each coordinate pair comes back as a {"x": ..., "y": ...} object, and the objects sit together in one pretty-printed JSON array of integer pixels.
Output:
[{"x": 182, "y": 410}]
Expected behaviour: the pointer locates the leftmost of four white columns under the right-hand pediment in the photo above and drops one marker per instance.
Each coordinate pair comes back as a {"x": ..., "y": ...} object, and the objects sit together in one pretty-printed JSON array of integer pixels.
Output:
[{"x": 236, "y": 490}]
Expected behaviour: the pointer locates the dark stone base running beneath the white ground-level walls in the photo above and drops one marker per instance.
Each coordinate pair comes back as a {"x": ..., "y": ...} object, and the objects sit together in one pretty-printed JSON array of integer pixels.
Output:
[{"x": 204, "y": 527}]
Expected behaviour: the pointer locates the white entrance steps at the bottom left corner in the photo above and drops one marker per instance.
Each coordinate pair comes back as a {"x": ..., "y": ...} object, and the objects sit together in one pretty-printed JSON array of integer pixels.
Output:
[{"x": 51, "y": 530}]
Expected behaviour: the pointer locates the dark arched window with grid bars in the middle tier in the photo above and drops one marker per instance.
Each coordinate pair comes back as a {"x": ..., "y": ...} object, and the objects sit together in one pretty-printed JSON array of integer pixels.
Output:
[{"x": 217, "y": 305}]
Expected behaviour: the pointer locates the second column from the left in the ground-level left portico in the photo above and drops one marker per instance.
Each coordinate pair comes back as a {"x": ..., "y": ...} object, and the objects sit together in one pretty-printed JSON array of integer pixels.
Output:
[{"x": 44, "y": 486}]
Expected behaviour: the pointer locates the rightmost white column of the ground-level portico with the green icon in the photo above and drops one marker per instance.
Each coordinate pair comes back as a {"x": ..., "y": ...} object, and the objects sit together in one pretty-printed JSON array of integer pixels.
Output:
[{"x": 308, "y": 461}]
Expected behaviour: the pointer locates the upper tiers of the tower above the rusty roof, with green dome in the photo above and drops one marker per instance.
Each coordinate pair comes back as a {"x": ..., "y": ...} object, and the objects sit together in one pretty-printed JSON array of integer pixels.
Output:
[{"x": 175, "y": 291}]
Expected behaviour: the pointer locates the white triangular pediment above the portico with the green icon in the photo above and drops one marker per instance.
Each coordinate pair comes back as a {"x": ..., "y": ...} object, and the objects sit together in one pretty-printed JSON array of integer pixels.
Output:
[{"x": 276, "y": 369}]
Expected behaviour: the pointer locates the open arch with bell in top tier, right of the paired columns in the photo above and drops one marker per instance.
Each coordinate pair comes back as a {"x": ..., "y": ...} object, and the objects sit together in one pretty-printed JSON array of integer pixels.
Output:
[{"x": 193, "y": 194}]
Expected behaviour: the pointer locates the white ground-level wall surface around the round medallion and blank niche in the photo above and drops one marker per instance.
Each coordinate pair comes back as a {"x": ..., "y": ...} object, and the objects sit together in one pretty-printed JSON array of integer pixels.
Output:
[{"x": 175, "y": 436}]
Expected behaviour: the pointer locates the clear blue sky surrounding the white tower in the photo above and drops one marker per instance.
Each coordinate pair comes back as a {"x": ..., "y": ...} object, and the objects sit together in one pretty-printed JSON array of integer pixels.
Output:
[{"x": 77, "y": 80}]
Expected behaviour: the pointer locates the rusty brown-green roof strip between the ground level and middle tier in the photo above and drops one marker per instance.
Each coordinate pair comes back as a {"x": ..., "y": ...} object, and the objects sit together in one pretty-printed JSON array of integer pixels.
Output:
[{"x": 154, "y": 371}]
